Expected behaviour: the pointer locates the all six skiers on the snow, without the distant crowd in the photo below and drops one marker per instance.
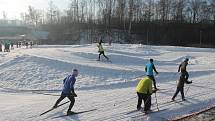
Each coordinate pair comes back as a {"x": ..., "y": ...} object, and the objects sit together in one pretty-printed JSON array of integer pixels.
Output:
[{"x": 144, "y": 87}]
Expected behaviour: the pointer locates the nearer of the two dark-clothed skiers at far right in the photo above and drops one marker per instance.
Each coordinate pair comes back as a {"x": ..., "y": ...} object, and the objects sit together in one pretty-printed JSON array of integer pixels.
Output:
[{"x": 180, "y": 86}]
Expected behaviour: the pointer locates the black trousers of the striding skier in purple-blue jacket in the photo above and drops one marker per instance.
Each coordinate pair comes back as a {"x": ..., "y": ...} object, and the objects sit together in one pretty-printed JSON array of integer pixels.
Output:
[{"x": 69, "y": 96}]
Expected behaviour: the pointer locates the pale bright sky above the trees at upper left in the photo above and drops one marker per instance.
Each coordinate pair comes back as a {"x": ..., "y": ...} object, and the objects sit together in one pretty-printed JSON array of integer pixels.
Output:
[{"x": 13, "y": 8}]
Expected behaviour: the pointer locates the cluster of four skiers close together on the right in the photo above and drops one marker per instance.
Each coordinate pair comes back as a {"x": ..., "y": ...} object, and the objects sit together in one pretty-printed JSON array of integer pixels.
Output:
[{"x": 144, "y": 88}]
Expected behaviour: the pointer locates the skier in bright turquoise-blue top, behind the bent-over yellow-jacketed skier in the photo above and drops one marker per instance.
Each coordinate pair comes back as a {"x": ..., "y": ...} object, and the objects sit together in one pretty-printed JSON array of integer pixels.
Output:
[{"x": 149, "y": 71}]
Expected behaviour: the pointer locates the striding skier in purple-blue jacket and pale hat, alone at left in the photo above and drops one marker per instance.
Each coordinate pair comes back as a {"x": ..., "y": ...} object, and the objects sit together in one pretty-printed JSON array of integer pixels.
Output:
[{"x": 68, "y": 90}]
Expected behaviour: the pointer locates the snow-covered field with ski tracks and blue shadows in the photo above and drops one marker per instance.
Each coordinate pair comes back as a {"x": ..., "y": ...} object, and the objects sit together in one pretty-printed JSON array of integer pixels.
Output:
[{"x": 31, "y": 81}]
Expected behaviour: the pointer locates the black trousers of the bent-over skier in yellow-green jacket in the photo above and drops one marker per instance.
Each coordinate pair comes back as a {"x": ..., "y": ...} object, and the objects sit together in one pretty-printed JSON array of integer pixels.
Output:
[{"x": 147, "y": 101}]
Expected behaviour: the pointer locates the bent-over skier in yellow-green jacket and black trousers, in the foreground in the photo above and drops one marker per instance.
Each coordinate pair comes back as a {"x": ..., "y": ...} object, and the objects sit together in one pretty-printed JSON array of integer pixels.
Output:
[{"x": 144, "y": 92}]
